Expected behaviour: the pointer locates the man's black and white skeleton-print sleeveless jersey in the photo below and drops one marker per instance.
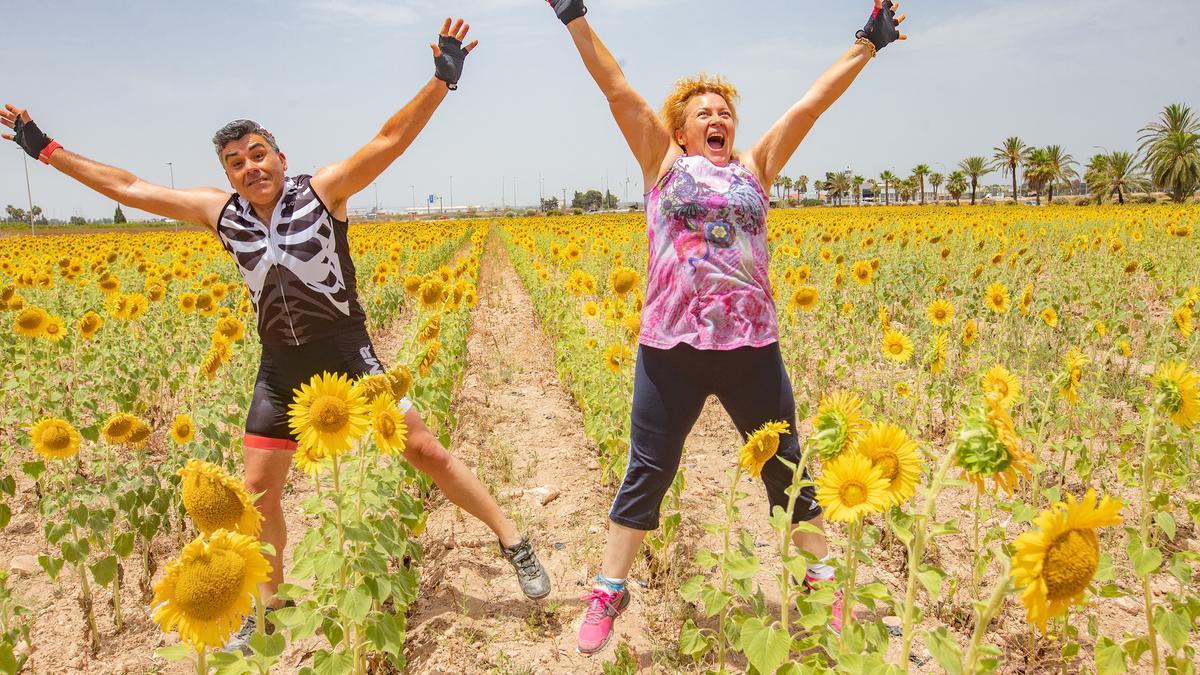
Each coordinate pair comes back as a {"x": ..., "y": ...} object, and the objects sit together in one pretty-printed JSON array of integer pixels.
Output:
[{"x": 298, "y": 267}]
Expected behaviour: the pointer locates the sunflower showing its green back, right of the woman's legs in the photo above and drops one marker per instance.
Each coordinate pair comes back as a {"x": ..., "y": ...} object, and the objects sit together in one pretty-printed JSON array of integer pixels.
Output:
[{"x": 988, "y": 447}]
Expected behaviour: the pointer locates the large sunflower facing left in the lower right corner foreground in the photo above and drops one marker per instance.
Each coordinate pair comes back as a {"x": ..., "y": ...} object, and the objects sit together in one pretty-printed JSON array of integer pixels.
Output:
[{"x": 1054, "y": 565}]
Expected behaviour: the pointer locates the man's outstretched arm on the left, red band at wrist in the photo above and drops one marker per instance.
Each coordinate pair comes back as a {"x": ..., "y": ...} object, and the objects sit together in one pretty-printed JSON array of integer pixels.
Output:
[{"x": 201, "y": 206}]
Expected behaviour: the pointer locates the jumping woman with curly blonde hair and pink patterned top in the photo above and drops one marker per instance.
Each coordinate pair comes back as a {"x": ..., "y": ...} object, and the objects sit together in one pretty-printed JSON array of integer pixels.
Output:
[{"x": 709, "y": 322}]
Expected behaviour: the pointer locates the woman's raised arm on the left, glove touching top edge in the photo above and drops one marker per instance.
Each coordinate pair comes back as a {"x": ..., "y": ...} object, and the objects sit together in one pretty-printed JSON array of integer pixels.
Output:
[{"x": 643, "y": 129}]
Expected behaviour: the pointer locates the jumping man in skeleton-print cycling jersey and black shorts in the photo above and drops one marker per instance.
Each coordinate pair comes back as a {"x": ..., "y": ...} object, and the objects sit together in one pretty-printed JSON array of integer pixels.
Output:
[{"x": 289, "y": 237}]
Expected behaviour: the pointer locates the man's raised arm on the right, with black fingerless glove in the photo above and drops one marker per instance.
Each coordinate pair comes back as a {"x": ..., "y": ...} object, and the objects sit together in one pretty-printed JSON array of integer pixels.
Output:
[{"x": 339, "y": 182}]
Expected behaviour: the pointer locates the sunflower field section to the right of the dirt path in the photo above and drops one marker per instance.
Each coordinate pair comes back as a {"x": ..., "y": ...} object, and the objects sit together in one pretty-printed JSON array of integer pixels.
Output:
[{"x": 1000, "y": 408}]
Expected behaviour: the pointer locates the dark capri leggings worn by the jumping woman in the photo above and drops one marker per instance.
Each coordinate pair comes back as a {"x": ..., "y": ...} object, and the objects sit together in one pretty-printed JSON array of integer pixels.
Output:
[{"x": 670, "y": 389}]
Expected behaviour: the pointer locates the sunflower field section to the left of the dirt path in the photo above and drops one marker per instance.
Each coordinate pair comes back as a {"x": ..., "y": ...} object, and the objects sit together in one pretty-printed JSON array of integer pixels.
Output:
[{"x": 129, "y": 367}]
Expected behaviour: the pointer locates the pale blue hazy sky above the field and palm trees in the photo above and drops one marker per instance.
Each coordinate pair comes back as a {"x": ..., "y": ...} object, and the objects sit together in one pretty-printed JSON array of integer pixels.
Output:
[{"x": 141, "y": 83}]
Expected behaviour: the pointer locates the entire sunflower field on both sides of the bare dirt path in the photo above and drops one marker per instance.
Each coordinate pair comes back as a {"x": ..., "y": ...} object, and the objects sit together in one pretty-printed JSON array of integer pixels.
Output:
[{"x": 999, "y": 408}]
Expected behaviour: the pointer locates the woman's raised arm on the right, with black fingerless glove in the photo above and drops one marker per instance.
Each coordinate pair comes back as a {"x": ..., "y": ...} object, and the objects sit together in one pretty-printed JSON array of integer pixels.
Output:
[{"x": 776, "y": 148}]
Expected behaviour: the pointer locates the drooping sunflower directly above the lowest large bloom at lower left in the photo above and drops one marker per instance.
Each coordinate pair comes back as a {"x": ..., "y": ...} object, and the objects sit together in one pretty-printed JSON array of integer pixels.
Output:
[{"x": 218, "y": 501}]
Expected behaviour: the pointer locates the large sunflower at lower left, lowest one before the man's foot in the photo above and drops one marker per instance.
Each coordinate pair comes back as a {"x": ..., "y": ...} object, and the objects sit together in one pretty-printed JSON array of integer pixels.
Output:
[{"x": 211, "y": 588}]
